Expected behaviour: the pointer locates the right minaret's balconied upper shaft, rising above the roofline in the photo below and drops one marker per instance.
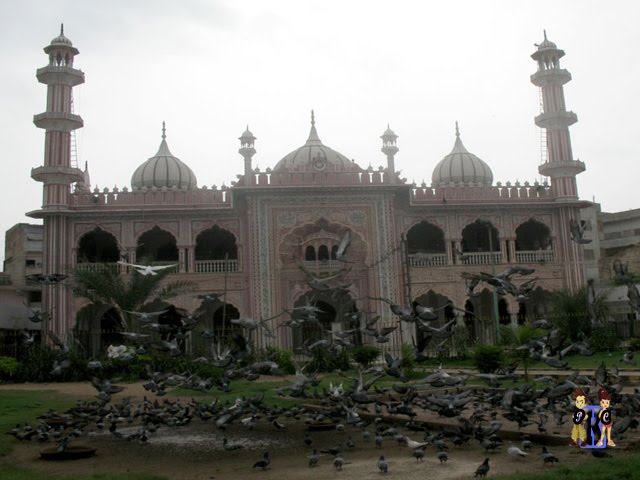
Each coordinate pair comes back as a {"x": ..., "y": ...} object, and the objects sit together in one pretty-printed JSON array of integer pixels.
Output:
[{"x": 560, "y": 165}]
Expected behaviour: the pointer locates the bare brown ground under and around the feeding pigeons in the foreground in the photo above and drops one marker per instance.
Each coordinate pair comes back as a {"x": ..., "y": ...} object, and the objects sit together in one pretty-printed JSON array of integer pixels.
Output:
[{"x": 195, "y": 452}]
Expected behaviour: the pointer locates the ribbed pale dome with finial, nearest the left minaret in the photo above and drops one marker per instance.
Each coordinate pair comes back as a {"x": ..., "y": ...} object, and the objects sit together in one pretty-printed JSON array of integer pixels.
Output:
[{"x": 163, "y": 170}]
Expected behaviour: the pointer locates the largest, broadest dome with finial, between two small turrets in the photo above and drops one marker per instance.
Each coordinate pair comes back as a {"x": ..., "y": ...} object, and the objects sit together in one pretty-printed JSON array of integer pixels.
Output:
[{"x": 314, "y": 156}]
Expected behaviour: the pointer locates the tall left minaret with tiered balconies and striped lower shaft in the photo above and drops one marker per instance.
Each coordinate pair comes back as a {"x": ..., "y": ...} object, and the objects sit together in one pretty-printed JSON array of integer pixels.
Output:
[{"x": 57, "y": 174}]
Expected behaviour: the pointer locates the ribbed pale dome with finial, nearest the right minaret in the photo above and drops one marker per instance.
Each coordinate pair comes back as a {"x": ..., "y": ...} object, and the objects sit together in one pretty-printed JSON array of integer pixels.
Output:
[{"x": 461, "y": 166}]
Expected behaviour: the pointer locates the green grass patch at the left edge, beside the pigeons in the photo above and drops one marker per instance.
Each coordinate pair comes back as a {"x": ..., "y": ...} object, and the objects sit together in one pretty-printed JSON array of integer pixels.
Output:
[{"x": 19, "y": 406}]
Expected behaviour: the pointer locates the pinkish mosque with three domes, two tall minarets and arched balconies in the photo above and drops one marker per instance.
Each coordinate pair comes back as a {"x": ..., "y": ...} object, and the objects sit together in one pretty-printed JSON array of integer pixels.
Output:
[{"x": 262, "y": 239}]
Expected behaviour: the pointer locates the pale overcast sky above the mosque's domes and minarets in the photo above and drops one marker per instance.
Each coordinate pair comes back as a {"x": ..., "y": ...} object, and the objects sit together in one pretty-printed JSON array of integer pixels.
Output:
[{"x": 208, "y": 68}]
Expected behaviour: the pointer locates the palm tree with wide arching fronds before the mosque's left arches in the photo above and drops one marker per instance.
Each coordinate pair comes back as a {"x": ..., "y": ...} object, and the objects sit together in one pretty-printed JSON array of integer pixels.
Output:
[{"x": 106, "y": 287}]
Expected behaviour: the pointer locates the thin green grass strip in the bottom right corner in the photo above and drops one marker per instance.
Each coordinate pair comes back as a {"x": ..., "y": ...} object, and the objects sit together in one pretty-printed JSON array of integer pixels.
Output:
[{"x": 620, "y": 468}]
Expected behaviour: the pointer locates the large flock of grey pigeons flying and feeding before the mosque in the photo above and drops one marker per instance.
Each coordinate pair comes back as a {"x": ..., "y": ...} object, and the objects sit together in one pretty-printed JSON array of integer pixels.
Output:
[{"x": 360, "y": 404}]
